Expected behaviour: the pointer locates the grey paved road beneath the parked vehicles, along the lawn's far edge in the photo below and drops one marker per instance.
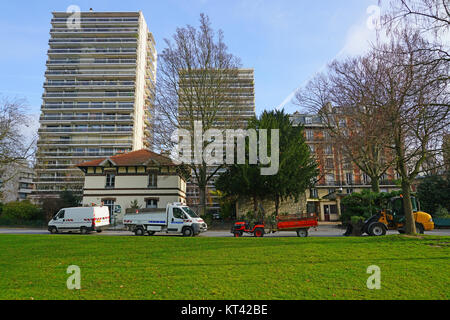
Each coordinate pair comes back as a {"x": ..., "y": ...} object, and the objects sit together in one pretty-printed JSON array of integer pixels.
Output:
[{"x": 322, "y": 231}]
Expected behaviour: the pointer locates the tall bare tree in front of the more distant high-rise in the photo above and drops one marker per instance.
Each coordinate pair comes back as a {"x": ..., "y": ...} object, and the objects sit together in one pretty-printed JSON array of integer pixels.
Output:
[{"x": 194, "y": 85}]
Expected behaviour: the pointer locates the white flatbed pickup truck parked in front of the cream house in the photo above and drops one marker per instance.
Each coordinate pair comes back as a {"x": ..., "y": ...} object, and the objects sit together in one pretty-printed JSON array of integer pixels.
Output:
[{"x": 177, "y": 218}]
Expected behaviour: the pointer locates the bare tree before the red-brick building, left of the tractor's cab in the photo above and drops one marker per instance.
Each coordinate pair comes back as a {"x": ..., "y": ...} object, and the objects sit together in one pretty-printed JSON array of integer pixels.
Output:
[{"x": 342, "y": 99}]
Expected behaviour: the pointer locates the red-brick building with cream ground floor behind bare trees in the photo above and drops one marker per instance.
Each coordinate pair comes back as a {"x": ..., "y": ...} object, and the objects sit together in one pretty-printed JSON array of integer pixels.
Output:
[{"x": 338, "y": 176}]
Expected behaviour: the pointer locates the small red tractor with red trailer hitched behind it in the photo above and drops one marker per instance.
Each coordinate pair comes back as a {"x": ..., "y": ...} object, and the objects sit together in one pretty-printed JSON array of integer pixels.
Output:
[{"x": 282, "y": 223}]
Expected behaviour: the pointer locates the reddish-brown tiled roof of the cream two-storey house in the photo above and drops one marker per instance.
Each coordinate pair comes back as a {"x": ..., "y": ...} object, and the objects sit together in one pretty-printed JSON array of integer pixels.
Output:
[{"x": 142, "y": 157}]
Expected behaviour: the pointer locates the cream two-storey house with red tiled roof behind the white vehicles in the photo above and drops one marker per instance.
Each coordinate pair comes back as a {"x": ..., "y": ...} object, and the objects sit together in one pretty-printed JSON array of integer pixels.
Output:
[{"x": 153, "y": 180}]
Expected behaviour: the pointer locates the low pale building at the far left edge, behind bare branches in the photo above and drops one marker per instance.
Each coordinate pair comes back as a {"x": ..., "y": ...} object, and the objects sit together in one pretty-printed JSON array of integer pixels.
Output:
[{"x": 16, "y": 182}]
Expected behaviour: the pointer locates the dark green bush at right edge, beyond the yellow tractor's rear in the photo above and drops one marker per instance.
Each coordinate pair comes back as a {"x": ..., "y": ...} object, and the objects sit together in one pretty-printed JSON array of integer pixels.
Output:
[{"x": 432, "y": 192}]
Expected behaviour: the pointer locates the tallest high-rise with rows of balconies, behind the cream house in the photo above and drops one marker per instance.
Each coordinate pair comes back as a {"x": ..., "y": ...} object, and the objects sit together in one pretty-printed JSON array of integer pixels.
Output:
[{"x": 97, "y": 99}]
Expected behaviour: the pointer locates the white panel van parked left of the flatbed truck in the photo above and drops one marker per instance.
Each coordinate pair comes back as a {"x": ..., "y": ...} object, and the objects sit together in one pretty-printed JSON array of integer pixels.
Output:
[{"x": 84, "y": 219}]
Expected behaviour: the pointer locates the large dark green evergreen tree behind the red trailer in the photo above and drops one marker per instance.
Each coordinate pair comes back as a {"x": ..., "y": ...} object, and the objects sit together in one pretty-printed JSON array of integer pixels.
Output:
[{"x": 297, "y": 167}]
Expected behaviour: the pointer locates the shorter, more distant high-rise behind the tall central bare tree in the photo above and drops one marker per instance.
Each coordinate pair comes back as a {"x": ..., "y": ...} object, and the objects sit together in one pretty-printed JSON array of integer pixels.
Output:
[{"x": 238, "y": 109}]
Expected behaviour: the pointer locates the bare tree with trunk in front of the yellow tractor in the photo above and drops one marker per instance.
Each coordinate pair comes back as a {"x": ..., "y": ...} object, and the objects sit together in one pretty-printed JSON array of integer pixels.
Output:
[{"x": 417, "y": 106}]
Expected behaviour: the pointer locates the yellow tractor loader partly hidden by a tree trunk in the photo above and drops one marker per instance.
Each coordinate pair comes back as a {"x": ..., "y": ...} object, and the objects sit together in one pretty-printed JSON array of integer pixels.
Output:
[{"x": 393, "y": 218}]
